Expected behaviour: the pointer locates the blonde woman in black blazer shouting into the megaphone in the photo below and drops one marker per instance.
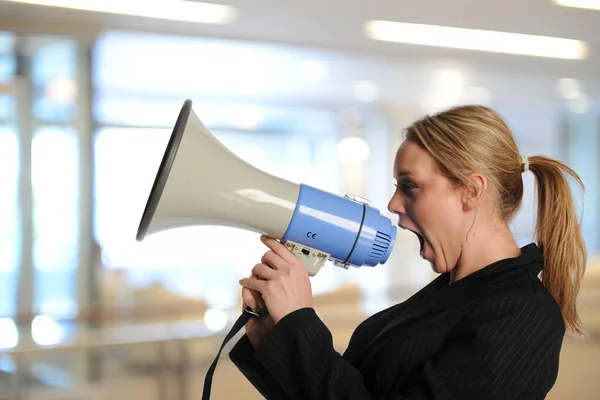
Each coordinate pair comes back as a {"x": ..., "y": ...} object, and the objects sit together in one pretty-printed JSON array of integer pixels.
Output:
[{"x": 489, "y": 327}]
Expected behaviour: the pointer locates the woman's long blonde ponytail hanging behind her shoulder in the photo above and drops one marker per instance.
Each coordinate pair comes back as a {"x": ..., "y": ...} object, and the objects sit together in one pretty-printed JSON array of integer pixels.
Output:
[{"x": 558, "y": 235}]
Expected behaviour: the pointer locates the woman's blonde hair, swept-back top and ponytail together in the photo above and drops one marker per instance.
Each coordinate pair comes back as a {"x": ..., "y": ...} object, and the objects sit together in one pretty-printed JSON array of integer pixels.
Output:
[{"x": 467, "y": 139}]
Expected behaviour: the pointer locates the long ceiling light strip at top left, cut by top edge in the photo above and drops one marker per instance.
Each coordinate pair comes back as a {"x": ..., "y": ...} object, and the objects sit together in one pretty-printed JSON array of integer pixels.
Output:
[{"x": 177, "y": 10}]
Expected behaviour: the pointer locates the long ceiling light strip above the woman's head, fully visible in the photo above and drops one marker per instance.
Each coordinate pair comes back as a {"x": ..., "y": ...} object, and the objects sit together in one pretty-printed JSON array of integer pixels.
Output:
[{"x": 472, "y": 39}]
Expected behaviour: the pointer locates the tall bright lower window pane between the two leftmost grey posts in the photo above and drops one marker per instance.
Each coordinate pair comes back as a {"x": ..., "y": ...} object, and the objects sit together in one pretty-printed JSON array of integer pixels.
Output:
[{"x": 55, "y": 184}]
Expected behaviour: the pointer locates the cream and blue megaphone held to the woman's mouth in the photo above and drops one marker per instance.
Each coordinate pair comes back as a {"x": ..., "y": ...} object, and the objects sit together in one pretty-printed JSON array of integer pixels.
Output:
[{"x": 201, "y": 182}]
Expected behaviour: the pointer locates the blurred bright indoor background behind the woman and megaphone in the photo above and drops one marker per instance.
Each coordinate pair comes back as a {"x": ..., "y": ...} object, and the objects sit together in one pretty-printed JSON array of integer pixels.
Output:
[{"x": 315, "y": 92}]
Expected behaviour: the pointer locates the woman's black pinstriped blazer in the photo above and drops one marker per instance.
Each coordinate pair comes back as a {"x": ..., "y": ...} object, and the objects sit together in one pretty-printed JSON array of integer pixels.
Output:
[{"x": 495, "y": 334}]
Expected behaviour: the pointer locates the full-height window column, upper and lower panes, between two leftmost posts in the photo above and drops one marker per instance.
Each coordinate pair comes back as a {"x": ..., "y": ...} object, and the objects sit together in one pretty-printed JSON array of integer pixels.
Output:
[{"x": 54, "y": 176}]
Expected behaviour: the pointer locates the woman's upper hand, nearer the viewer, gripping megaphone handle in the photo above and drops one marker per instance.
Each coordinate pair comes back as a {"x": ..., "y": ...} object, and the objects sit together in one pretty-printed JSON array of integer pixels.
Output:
[{"x": 282, "y": 281}]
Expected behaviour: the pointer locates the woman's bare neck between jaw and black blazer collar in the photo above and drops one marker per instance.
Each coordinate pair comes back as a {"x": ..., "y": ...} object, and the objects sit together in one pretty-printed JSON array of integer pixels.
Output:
[{"x": 483, "y": 247}]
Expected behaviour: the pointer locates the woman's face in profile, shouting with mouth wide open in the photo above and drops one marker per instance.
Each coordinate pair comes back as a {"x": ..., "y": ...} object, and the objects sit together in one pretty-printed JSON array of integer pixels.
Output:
[{"x": 430, "y": 205}]
